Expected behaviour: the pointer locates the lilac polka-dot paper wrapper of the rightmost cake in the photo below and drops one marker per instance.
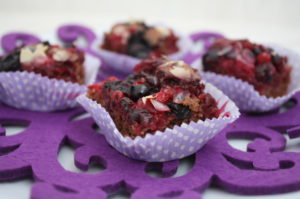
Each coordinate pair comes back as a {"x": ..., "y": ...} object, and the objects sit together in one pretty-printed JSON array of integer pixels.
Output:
[{"x": 244, "y": 94}]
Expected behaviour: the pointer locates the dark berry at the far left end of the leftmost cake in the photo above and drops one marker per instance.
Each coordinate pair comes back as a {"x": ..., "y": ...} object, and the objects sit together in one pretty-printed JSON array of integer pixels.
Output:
[{"x": 11, "y": 62}]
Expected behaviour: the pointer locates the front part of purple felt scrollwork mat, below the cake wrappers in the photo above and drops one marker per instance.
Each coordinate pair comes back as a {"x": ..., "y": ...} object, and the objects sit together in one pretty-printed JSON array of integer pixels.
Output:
[{"x": 264, "y": 169}]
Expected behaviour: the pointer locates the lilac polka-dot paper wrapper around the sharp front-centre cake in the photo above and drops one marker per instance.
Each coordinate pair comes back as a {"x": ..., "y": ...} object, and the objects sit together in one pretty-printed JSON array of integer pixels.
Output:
[{"x": 170, "y": 144}]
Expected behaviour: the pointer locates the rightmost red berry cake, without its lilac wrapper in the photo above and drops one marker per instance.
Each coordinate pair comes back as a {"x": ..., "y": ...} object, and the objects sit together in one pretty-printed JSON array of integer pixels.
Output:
[{"x": 256, "y": 64}]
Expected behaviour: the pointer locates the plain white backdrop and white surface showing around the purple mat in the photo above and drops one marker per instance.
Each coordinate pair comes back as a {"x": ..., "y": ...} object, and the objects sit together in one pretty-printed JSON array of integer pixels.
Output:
[{"x": 260, "y": 20}]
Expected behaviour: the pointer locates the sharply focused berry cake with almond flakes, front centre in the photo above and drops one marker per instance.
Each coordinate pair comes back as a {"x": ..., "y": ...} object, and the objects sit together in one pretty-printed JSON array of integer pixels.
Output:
[{"x": 159, "y": 94}]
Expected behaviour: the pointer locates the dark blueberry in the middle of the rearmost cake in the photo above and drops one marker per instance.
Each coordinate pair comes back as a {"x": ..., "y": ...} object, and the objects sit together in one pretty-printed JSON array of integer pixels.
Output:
[{"x": 138, "y": 46}]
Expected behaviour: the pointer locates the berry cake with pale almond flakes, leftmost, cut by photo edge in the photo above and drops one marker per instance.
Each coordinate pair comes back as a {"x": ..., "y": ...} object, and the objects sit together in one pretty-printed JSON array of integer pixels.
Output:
[{"x": 48, "y": 60}]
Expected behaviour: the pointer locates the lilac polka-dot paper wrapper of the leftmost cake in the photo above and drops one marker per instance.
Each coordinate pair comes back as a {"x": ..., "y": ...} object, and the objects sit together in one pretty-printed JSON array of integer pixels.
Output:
[{"x": 31, "y": 91}]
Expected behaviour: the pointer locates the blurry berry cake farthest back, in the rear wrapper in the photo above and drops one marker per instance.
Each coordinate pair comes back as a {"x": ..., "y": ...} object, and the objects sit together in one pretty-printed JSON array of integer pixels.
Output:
[{"x": 140, "y": 40}]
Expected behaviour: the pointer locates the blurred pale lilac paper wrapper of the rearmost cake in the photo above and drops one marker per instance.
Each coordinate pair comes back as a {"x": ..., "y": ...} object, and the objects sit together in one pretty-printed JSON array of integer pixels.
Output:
[{"x": 124, "y": 63}]
